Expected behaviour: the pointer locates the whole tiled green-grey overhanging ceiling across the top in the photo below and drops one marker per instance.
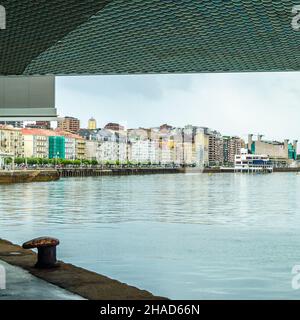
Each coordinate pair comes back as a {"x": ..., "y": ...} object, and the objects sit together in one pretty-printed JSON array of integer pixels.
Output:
[{"x": 68, "y": 37}]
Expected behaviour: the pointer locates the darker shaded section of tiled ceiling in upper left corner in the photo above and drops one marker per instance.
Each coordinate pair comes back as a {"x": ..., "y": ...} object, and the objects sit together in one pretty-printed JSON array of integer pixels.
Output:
[{"x": 33, "y": 26}]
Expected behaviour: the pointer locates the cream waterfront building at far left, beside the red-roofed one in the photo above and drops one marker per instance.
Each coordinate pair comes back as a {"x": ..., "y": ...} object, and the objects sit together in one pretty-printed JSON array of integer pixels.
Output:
[{"x": 11, "y": 141}]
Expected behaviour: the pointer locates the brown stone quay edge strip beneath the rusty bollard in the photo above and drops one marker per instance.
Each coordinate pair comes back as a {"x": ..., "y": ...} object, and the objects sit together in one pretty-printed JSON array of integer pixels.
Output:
[{"x": 87, "y": 284}]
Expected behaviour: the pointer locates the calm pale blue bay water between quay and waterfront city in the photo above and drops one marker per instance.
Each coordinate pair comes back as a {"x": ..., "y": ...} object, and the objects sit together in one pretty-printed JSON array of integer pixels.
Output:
[{"x": 186, "y": 236}]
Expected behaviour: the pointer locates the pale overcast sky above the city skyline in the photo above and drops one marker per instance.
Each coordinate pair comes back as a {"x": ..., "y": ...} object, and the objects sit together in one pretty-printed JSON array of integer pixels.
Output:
[{"x": 235, "y": 104}]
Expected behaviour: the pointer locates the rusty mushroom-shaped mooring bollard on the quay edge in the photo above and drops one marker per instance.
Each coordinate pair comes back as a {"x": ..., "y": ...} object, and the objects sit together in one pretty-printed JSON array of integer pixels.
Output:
[{"x": 46, "y": 251}]
